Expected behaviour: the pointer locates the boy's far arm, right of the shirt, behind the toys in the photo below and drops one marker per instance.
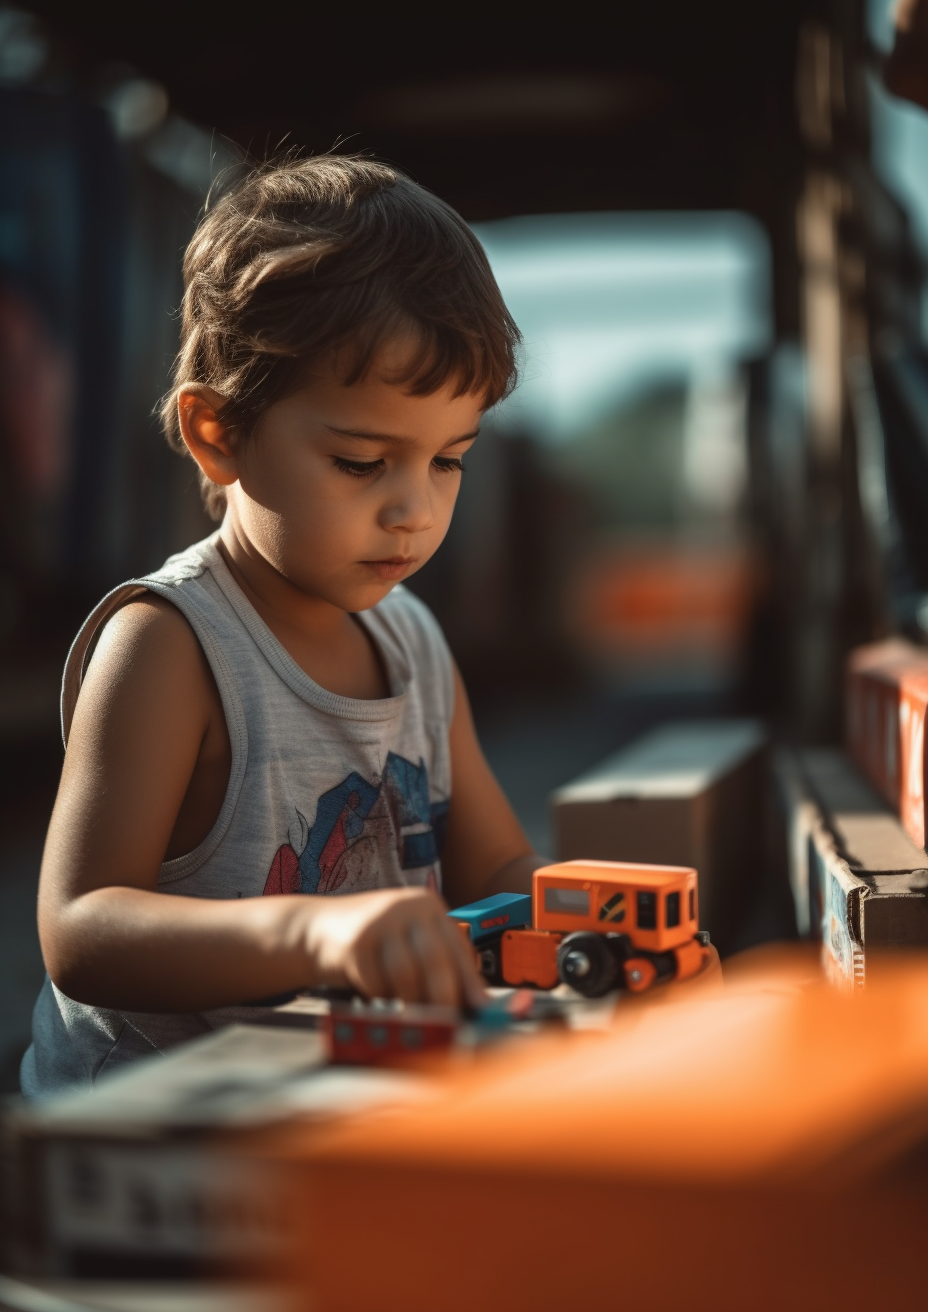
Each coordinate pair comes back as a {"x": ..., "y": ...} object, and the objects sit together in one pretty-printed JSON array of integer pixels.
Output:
[{"x": 486, "y": 851}]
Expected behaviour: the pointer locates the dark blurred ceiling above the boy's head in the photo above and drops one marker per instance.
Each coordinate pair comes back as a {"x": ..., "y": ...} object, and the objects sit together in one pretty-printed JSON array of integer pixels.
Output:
[{"x": 661, "y": 106}]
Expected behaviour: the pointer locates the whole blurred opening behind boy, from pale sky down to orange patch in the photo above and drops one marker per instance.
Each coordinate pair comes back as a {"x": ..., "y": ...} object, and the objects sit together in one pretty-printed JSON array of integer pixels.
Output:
[{"x": 635, "y": 397}]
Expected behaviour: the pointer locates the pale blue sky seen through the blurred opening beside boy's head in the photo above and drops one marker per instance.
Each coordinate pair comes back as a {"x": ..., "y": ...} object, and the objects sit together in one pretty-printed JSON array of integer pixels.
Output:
[{"x": 614, "y": 305}]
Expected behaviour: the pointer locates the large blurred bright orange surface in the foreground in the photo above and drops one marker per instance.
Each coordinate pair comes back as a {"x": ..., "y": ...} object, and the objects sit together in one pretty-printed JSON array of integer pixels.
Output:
[{"x": 754, "y": 1147}]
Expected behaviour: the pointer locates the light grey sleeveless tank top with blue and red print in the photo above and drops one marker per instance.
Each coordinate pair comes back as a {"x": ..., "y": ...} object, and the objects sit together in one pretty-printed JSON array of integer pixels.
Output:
[{"x": 326, "y": 794}]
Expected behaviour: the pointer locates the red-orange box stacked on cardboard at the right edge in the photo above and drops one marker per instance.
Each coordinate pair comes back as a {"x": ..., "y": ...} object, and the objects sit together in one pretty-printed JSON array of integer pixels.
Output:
[{"x": 887, "y": 703}]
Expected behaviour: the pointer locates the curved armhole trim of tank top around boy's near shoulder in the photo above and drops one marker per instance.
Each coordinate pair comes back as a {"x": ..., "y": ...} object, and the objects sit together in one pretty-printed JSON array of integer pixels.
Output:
[{"x": 75, "y": 668}]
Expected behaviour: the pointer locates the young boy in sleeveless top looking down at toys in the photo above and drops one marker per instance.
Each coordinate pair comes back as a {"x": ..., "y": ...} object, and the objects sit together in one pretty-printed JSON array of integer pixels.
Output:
[{"x": 270, "y": 713}]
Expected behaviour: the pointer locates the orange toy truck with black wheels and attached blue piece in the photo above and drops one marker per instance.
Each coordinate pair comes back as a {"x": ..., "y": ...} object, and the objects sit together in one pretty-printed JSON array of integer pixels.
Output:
[{"x": 595, "y": 926}]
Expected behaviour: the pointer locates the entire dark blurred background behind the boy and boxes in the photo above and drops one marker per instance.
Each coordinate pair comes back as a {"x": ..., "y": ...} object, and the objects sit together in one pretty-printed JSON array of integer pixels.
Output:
[{"x": 711, "y": 224}]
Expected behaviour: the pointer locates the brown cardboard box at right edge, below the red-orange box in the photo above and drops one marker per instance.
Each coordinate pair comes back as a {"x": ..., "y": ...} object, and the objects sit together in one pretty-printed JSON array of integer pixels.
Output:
[{"x": 859, "y": 882}]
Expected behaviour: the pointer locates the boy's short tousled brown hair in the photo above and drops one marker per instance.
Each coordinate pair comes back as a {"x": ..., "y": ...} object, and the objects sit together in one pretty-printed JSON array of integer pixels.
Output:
[{"x": 330, "y": 256}]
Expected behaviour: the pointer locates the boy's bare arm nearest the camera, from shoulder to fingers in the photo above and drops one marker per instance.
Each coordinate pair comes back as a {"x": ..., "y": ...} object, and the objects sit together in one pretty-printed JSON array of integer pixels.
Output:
[{"x": 145, "y": 724}]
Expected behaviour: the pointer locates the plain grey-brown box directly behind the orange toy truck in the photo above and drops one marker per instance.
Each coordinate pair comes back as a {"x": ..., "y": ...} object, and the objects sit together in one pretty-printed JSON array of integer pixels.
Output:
[{"x": 688, "y": 794}]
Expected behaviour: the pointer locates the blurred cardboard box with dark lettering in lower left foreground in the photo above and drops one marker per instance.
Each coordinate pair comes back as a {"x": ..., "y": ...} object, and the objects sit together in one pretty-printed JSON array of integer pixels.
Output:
[{"x": 150, "y": 1174}]
